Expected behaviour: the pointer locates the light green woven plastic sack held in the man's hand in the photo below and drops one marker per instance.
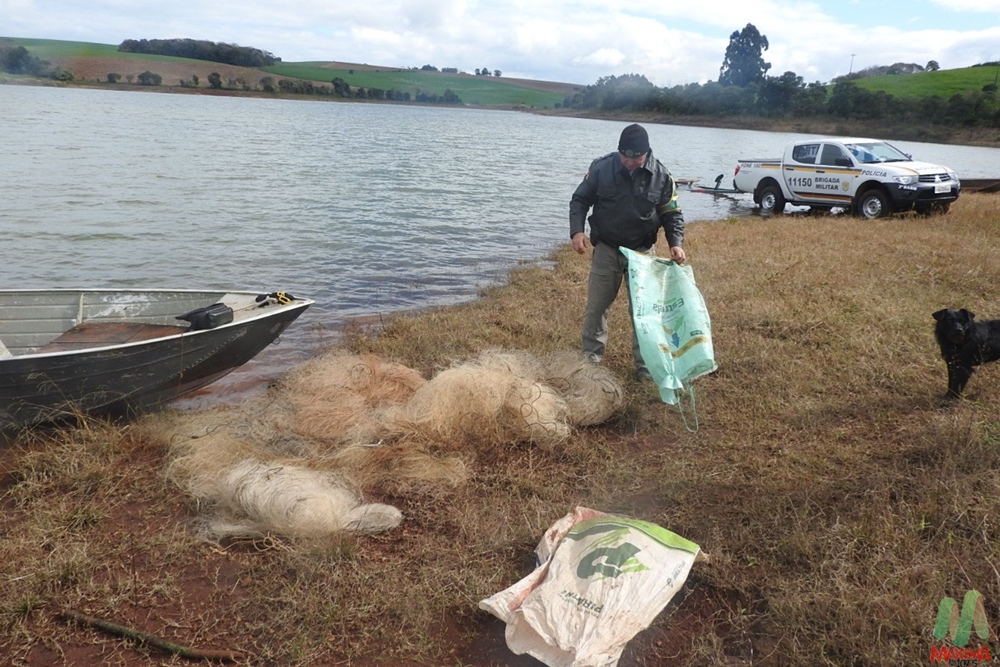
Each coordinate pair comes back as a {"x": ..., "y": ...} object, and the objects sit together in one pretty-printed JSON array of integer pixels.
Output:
[{"x": 671, "y": 322}]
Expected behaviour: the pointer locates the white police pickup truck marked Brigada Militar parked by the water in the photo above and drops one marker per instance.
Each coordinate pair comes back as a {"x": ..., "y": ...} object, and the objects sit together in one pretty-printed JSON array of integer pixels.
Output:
[{"x": 867, "y": 177}]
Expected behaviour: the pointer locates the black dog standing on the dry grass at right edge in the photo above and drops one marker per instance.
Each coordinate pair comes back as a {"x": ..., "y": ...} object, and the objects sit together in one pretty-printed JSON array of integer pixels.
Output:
[{"x": 965, "y": 344}]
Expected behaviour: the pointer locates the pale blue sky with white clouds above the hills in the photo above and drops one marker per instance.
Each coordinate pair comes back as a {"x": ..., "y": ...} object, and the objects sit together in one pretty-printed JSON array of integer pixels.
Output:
[{"x": 572, "y": 41}]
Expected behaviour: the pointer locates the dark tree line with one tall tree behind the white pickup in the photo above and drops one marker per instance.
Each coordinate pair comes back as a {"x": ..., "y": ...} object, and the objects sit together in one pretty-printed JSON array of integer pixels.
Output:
[{"x": 745, "y": 89}]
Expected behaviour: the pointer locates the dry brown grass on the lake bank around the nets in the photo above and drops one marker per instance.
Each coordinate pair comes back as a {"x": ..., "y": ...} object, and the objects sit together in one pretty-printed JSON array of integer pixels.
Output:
[{"x": 838, "y": 496}]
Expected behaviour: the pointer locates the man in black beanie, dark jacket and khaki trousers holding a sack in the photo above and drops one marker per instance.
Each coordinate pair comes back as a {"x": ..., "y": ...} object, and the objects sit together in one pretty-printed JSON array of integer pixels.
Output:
[{"x": 632, "y": 195}]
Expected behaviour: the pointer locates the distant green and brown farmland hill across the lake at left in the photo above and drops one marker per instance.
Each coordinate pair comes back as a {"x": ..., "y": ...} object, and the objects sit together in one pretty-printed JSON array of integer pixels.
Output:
[{"x": 91, "y": 63}]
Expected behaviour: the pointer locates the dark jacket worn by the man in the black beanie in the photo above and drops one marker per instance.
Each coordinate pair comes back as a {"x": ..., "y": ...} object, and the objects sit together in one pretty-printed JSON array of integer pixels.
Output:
[{"x": 628, "y": 209}]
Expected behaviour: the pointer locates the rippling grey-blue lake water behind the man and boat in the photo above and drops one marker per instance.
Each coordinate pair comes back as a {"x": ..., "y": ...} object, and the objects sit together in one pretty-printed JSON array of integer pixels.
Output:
[{"x": 368, "y": 208}]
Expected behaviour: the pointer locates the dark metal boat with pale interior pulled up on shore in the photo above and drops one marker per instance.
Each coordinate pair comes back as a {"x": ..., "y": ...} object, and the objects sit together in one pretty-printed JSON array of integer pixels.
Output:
[{"x": 122, "y": 352}]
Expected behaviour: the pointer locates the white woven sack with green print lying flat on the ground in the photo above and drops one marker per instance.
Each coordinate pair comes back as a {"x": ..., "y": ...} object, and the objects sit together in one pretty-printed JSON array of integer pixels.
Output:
[{"x": 600, "y": 581}]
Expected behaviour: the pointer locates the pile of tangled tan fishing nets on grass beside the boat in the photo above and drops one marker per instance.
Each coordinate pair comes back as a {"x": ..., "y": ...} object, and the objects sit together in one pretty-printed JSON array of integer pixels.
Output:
[{"x": 295, "y": 462}]
